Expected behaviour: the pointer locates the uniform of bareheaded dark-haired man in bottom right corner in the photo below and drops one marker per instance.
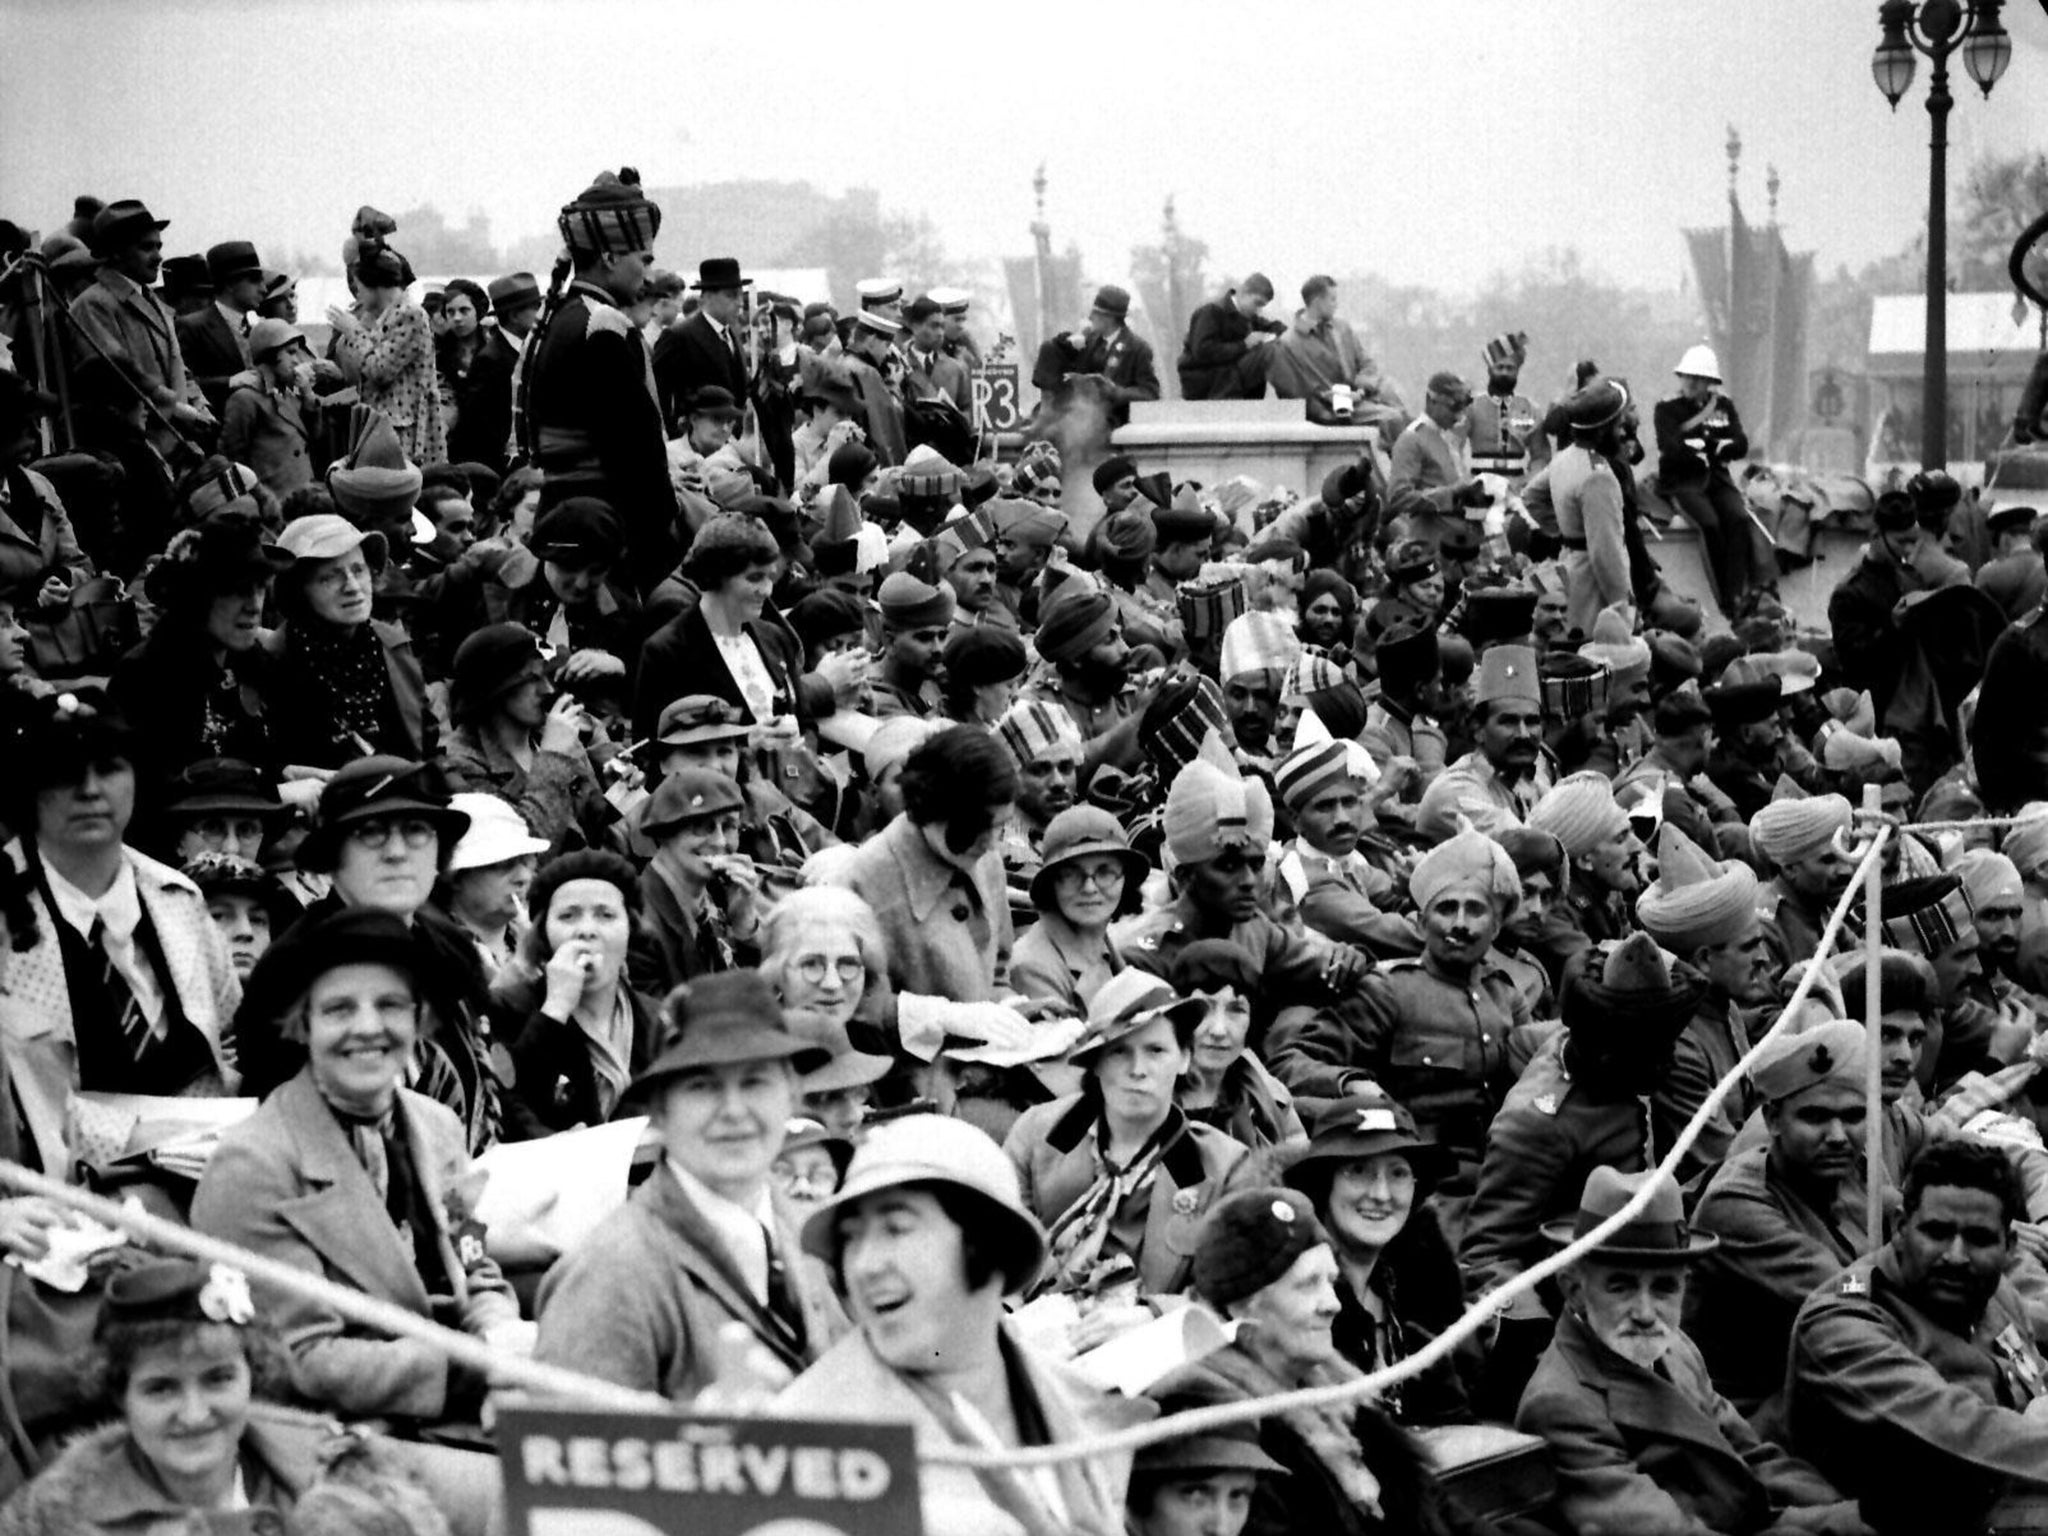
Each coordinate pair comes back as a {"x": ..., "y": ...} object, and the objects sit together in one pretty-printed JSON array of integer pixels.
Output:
[{"x": 1922, "y": 1424}]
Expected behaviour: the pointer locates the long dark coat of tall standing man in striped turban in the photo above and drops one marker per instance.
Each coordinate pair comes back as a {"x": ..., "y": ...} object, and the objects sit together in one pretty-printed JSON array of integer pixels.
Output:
[{"x": 597, "y": 425}]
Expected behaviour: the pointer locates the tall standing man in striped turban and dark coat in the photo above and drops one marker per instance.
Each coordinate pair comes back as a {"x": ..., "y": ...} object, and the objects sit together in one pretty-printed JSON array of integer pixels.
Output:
[{"x": 591, "y": 419}]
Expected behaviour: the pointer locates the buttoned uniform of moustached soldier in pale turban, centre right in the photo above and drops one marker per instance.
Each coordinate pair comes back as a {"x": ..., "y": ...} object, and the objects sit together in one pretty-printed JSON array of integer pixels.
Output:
[{"x": 1431, "y": 1039}]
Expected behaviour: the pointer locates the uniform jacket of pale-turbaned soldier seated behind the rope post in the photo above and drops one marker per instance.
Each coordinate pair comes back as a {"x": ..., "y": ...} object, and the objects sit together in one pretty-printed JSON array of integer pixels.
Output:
[{"x": 1777, "y": 1248}]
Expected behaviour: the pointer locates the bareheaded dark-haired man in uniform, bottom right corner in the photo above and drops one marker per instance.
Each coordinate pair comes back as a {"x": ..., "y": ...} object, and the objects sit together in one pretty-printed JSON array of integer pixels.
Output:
[{"x": 1916, "y": 1381}]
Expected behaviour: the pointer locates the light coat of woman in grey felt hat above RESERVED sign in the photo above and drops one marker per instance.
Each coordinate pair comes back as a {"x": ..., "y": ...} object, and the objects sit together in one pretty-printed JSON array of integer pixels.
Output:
[{"x": 644, "y": 1299}]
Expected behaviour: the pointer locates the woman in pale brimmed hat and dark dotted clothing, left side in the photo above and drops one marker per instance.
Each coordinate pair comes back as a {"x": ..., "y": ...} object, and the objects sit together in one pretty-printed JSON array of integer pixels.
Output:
[{"x": 345, "y": 685}]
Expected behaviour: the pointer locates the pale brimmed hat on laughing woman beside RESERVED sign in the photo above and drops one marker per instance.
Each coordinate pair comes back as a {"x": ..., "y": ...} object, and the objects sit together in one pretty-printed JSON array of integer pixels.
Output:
[{"x": 939, "y": 1150}]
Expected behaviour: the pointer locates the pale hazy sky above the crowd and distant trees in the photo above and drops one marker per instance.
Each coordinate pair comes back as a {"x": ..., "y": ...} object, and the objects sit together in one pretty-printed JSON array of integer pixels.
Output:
[{"x": 1431, "y": 140}]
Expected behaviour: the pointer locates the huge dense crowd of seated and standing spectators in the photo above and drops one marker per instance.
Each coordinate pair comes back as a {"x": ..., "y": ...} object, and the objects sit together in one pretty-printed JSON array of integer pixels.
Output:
[{"x": 613, "y": 697}]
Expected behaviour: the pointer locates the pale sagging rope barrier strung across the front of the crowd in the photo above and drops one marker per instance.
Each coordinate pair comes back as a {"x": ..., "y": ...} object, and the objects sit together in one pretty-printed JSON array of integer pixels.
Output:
[{"x": 572, "y": 1388}]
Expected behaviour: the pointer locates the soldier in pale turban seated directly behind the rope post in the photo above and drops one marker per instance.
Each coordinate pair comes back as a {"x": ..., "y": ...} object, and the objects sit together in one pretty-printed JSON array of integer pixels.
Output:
[{"x": 1789, "y": 1215}]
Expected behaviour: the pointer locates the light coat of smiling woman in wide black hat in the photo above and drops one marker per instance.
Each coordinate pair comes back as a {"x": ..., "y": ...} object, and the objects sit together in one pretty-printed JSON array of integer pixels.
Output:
[{"x": 288, "y": 1185}]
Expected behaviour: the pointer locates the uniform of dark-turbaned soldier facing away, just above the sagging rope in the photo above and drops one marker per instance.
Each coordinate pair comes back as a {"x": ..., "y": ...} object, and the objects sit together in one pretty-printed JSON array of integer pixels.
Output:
[{"x": 1541, "y": 1148}]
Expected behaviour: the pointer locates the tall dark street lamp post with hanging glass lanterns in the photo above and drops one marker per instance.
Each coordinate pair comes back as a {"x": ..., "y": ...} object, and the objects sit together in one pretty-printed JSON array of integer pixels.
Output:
[{"x": 1936, "y": 28}]
